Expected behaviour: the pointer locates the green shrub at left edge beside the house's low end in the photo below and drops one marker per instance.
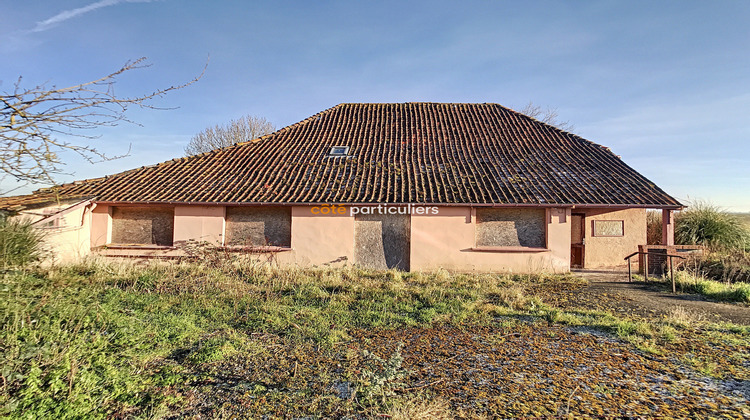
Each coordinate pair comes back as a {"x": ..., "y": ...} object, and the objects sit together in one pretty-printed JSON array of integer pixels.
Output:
[{"x": 20, "y": 243}]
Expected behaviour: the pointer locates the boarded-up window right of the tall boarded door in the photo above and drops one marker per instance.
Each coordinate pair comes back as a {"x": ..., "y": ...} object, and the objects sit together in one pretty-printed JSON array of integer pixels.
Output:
[{"x": 511, "y": 227}]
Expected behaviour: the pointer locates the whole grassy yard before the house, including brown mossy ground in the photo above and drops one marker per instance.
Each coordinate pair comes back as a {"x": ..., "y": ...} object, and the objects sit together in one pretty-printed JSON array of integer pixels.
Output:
[{"x": 100, "y": 340}]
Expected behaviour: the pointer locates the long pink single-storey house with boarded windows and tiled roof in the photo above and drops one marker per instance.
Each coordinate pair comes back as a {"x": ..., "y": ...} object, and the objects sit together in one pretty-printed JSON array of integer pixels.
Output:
[{"x": 413, "y": 186}]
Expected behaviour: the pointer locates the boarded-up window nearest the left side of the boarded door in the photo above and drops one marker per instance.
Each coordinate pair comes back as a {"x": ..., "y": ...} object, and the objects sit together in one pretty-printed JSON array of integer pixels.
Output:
[{"x": 259, "y": 226}]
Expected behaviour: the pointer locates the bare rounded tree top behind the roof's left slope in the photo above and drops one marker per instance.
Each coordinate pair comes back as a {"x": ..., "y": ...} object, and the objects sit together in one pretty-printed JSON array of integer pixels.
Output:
[{"x": 236, "y": 131}]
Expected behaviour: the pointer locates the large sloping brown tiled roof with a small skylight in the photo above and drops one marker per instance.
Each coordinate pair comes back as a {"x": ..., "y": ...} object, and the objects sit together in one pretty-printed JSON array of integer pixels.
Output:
[{"x": 398, "y": 153}]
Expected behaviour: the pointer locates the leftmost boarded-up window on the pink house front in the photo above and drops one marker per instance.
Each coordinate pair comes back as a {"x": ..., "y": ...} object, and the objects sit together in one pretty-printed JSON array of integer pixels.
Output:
[{"x": 143, "y": 225}]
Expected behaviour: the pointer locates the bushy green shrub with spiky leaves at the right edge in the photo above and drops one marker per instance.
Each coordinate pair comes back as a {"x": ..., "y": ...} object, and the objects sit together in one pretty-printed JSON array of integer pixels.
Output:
[{"x": 708, "y": 225}]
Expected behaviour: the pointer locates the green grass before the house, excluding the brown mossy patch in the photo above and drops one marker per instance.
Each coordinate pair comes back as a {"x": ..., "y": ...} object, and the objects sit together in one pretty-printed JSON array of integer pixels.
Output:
[{"x": 100, "y": 340}]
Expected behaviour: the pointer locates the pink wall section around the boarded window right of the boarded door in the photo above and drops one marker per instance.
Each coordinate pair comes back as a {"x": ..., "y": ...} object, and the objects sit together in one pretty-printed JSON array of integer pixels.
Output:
[{"x": 447, "y": 240}]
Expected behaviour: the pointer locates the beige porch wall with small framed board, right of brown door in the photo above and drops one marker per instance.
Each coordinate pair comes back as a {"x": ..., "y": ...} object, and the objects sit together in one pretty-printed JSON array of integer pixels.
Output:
[{"x": 603, "y": 252}]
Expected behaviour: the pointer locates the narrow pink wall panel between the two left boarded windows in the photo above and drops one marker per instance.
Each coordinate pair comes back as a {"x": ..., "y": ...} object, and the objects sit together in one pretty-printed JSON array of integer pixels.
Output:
[{"x": 199, "y": 223}]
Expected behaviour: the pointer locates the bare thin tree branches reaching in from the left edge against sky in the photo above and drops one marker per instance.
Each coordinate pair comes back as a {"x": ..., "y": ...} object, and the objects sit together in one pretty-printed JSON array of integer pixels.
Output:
[{"x": 33, "y": 120}]
